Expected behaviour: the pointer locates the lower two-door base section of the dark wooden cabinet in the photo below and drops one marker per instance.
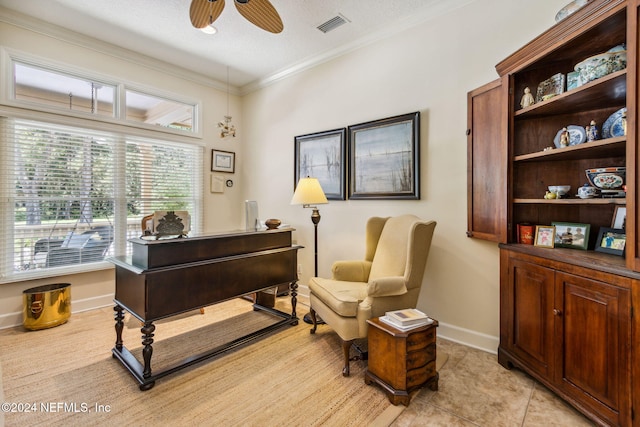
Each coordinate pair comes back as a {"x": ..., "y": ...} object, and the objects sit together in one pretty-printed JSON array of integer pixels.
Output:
[{"x": 570, "y": 328}]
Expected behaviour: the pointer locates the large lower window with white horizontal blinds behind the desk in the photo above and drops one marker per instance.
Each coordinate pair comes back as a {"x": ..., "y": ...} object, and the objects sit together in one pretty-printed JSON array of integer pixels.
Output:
[{"x": 71, "y": 196}]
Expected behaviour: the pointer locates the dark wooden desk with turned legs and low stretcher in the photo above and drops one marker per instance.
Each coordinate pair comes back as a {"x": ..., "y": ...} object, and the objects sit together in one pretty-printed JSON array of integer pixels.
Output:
[{"x": 164, "y": 278}]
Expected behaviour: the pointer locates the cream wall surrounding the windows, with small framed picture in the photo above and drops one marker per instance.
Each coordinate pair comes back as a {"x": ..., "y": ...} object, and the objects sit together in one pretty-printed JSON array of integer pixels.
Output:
[{"x": 222, "y": 211}]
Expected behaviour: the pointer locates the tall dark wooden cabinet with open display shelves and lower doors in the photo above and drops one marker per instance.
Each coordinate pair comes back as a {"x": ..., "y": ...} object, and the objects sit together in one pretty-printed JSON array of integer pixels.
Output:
[{"x": 566, "y": 314}]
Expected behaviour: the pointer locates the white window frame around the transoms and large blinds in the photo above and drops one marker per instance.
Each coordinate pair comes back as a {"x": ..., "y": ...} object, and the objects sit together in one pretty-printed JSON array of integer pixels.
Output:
[{"x": 17, "y": 109}]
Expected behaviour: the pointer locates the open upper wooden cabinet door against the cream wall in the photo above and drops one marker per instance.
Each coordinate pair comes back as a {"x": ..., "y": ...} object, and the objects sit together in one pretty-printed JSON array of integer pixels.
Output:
[{"x": 487, "y": 163}]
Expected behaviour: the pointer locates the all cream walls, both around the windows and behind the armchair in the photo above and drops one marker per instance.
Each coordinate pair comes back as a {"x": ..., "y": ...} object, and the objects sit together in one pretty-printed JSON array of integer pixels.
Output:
[{"x": 429, "y": 68}]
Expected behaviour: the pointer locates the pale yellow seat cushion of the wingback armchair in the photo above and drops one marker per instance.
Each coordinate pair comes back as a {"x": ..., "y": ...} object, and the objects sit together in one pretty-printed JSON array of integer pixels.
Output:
[{"x": 341, "y": 296}]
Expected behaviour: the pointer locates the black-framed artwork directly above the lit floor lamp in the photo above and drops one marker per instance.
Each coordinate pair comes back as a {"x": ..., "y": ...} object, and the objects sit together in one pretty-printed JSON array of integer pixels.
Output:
[{"x": 322, "y": 155}]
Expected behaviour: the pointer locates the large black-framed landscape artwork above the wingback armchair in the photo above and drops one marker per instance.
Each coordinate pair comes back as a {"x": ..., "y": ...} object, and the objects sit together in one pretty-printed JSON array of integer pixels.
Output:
[{"x": 384, "y": 158}]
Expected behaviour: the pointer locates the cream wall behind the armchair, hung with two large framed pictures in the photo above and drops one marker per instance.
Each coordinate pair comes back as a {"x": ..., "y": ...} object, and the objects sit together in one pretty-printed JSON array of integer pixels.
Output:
[{"x": 429, "y": 68}]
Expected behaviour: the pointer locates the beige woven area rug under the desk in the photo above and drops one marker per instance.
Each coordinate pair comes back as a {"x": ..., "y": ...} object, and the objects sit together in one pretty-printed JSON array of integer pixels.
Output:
[{"x": 68, "y": 377}]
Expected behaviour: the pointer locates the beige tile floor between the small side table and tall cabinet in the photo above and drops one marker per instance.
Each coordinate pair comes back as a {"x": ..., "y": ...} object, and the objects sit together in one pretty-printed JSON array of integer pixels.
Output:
[{"x": 474, "y": 390}]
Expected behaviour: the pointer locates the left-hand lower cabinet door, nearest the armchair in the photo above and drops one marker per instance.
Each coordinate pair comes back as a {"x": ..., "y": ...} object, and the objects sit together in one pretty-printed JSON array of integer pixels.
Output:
[{"x": 527, "y": 315}]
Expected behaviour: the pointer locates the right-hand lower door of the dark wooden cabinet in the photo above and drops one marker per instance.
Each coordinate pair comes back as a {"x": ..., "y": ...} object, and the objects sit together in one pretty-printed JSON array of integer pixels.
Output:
[{"x": 593, "y": 340}]
